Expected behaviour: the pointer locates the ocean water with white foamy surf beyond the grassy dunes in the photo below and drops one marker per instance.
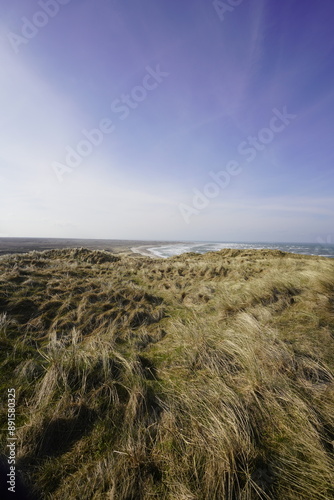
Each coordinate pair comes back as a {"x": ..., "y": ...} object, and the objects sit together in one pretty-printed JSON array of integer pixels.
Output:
[{"x": 320, "y": 249}]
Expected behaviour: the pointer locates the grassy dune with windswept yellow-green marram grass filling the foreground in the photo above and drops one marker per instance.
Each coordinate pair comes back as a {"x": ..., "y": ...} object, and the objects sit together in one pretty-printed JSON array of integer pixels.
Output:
[{"x": 198, "y": 377}]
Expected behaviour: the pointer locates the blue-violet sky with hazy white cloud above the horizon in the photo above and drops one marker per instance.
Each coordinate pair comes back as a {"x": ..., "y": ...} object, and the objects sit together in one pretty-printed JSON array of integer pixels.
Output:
[{"x": 192, "y": 120}]
